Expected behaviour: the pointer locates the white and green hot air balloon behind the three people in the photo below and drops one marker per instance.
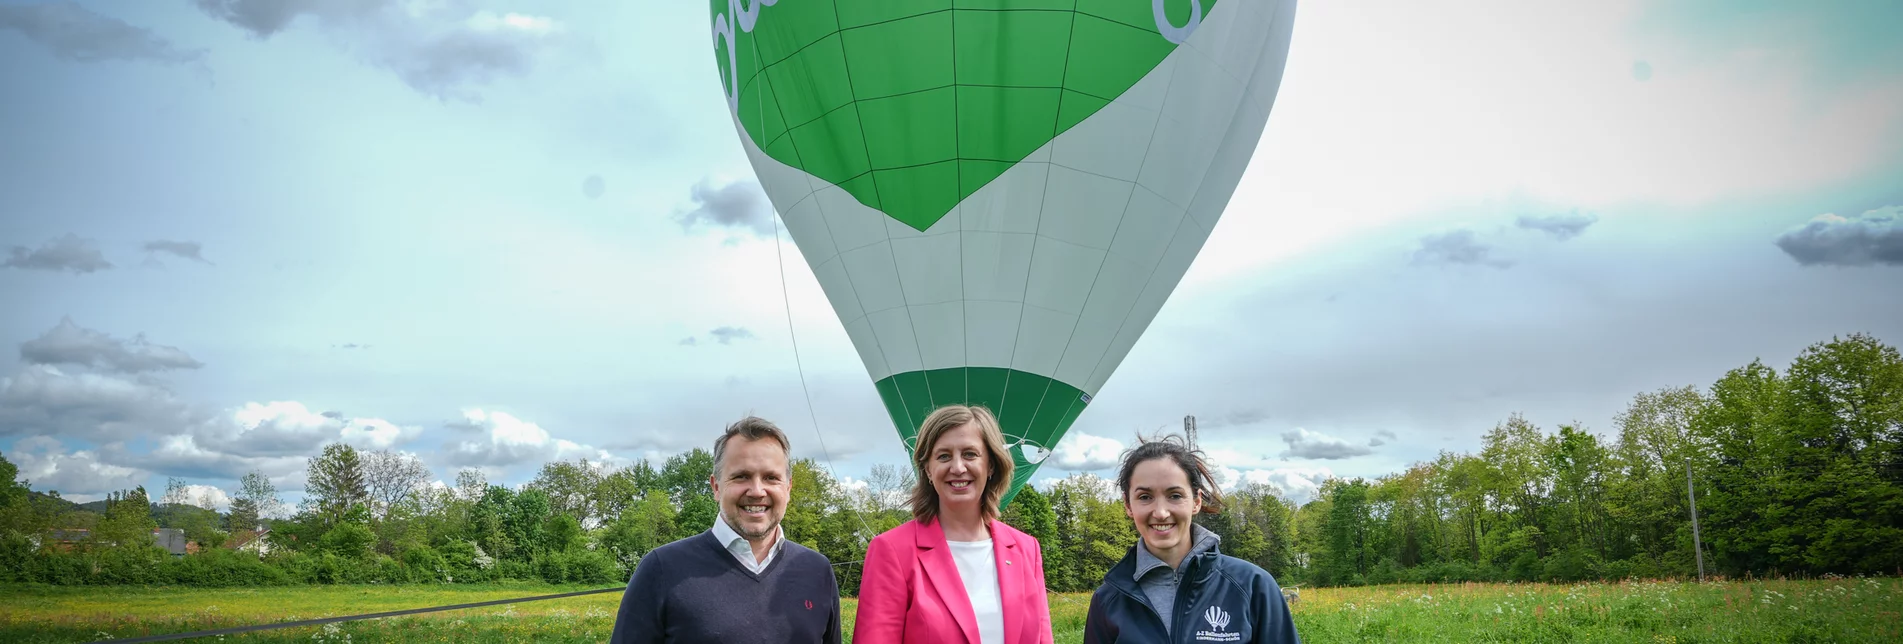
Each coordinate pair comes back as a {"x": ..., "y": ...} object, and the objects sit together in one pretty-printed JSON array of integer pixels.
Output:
[{"x": 1000, "y": 195}]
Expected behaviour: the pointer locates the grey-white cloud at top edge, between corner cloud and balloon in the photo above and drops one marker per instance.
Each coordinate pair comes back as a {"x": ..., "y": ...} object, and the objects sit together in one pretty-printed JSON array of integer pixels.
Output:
[{"x": 437, "y": 49}]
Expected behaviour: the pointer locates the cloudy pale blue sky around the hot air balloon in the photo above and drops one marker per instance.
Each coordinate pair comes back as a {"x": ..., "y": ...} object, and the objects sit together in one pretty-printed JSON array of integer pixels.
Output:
[{"x": 507, "y": 233}]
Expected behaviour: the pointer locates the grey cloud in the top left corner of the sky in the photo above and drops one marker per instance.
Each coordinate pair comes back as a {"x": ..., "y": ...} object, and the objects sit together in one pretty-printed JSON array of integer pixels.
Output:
[{"x": 73, "y": 33}]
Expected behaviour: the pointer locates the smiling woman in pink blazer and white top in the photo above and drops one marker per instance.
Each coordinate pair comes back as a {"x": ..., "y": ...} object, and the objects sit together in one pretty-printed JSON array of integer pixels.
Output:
[{"x": 956, "y": 573}]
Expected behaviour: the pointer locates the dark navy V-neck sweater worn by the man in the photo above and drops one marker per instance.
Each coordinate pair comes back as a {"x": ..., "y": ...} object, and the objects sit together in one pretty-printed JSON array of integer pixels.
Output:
[{"x": 696, "y": 592}]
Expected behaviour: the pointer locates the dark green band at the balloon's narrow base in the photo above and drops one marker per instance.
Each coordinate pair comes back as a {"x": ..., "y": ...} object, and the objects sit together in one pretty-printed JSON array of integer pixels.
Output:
[{"x": 1032, "y": 426}]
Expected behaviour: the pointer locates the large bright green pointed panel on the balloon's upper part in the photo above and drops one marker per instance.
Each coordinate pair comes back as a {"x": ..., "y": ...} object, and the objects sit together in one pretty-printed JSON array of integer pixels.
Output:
[{"x": 932, "y": 100}]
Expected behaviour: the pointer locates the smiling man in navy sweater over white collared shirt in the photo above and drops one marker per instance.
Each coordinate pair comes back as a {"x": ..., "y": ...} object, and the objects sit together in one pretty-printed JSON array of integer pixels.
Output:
[{"x": 741, "y": 580}]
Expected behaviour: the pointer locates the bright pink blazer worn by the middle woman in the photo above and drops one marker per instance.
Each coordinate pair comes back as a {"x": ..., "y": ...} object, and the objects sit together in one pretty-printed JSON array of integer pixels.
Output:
[{"x": 912, "y": 594}]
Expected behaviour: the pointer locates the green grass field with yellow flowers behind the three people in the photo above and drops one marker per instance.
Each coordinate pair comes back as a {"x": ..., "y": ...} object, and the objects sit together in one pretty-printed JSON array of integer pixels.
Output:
[{"x": 1830, "y": 611}]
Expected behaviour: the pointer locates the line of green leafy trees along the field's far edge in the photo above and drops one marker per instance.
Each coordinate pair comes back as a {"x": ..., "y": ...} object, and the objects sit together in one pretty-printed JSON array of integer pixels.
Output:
[{"x": 1795, "y": 473}]
